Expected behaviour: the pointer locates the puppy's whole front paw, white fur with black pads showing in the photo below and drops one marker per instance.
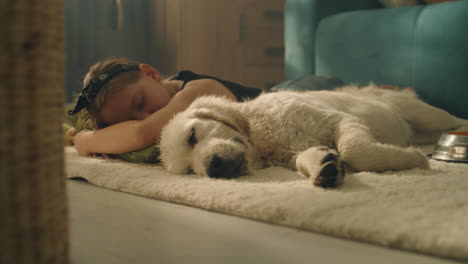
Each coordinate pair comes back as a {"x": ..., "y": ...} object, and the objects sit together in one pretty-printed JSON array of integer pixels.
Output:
[{"x": 322, "y": 165}]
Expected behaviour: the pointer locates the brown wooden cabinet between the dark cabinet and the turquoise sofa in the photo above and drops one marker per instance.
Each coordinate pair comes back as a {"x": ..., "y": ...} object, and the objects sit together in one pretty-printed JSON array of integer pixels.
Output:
[{"x": 238, "y": 40}]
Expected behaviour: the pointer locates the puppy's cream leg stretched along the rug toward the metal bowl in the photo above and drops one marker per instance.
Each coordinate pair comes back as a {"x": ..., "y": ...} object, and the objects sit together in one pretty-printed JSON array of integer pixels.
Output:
[{"x": 360, "y": 150}]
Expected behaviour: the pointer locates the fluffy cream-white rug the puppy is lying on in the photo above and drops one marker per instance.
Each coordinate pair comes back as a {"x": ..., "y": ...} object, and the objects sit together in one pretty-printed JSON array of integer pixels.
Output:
[{"x": 417, "y": 210}]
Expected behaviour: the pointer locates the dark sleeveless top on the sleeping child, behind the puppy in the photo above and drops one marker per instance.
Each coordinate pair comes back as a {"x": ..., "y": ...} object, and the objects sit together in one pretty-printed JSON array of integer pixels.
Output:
[{"x": 241, "y": 92}]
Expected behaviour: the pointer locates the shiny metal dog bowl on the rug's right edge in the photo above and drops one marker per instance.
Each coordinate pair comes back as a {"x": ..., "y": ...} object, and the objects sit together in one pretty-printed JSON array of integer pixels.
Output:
[{"x": 452, "y": 146}]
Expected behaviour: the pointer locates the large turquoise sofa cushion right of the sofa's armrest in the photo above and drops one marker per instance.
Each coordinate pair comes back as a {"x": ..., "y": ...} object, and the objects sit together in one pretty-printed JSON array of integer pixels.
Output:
[{"x": 424, "y": 47}]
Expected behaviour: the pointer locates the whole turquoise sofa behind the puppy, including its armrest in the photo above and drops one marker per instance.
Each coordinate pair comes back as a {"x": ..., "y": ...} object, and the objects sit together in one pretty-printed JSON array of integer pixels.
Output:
[{"x": 359, "y": 41}]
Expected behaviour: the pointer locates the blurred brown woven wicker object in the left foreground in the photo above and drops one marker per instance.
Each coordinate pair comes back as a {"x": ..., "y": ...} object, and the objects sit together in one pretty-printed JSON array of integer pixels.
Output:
[{"x": 33, "y": 212}]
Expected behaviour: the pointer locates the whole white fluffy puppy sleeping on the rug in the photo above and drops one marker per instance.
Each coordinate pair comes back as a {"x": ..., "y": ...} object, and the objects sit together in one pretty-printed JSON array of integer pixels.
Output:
[{"x": 313, "y": 132}]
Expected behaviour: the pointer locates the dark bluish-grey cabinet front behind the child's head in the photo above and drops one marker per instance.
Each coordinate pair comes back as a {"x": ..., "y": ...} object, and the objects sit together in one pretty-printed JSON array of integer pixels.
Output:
[{"x": 98, "y": 29}]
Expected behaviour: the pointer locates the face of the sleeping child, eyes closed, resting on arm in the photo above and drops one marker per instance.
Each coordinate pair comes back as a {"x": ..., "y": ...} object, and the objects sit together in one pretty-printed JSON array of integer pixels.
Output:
[{"x": 134, "y": 102}]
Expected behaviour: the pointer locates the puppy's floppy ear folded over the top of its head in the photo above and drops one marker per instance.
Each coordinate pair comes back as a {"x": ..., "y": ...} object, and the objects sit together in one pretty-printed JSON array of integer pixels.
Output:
[{"x": 229, "y": 117}]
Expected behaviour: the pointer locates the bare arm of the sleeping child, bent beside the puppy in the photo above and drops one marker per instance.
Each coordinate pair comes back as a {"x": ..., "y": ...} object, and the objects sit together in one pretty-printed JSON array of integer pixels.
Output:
[{"x": 136, "y": 134}]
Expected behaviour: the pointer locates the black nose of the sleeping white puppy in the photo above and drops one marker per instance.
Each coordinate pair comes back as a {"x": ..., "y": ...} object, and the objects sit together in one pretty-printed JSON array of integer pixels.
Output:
[{"x": 218, "y": 167}]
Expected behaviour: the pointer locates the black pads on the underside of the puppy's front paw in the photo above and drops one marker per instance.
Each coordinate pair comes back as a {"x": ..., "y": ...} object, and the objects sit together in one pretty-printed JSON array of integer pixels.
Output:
[{"x": 331, "y": 172}]
